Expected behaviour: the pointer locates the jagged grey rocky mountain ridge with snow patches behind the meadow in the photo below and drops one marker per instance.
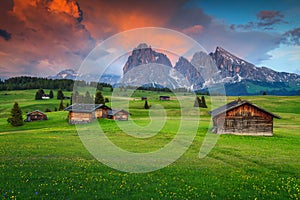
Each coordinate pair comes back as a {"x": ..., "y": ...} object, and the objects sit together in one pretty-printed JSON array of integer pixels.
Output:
[{"x": 228, "y": 68}]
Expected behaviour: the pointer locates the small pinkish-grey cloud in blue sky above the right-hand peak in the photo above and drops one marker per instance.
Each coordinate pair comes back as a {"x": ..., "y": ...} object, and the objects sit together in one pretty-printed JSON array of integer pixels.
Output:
[{"x": 266, "y": 19}]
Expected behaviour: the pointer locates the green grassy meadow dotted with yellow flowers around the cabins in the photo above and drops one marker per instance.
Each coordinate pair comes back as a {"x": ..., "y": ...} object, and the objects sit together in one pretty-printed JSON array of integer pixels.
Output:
[{"x": 47, "y": 160}]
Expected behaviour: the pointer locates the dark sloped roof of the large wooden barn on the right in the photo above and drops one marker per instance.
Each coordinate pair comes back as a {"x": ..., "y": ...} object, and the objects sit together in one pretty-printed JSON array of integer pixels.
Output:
[{"x": 235, "y": 104}]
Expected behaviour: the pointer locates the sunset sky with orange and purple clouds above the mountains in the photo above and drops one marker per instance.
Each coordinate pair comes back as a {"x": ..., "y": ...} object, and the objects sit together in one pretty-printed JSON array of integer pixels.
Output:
[{"x": 43, "y": 37}]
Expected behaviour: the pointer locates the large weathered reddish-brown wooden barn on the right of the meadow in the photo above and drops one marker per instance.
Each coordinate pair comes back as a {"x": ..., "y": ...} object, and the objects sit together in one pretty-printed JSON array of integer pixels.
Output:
[{"x": 242, "y": 118}]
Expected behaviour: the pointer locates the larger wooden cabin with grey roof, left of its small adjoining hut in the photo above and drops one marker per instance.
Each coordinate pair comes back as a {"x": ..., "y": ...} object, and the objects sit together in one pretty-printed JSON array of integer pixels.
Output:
[{"x": 85, "y": 113}]
